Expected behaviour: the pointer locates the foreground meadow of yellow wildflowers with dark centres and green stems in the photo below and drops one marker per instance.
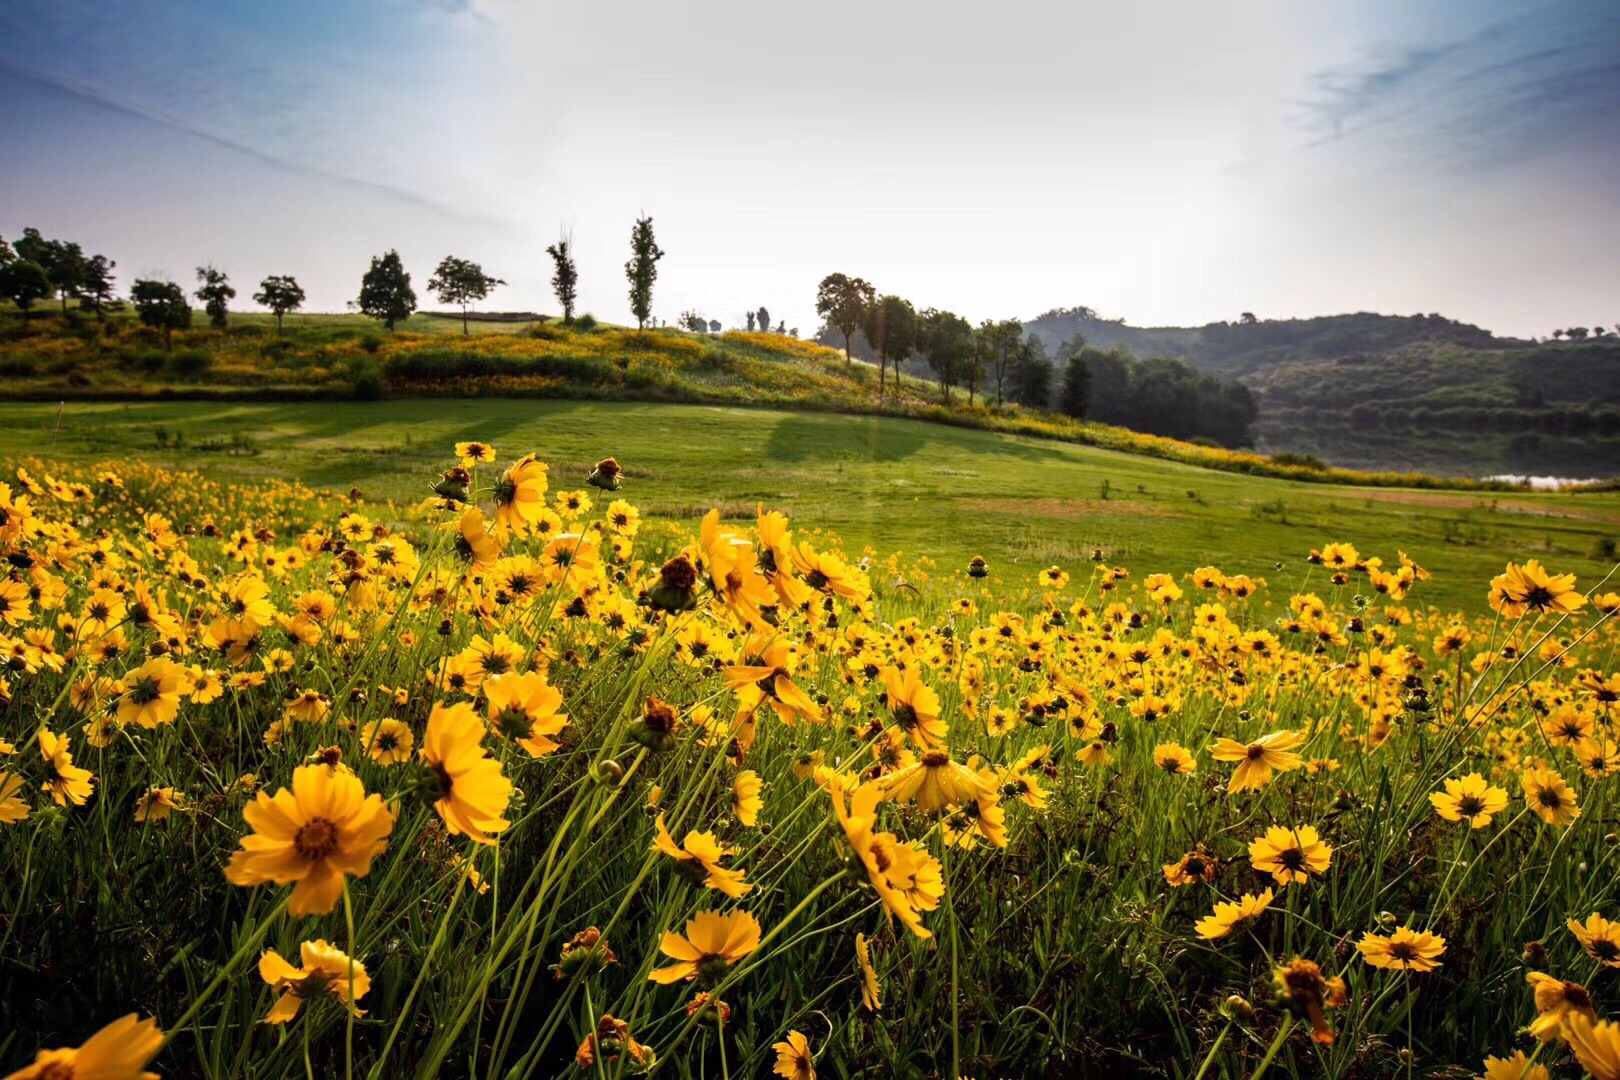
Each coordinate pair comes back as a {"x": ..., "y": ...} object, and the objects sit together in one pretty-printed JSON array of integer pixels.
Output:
[{"x": 516, "y": 783}]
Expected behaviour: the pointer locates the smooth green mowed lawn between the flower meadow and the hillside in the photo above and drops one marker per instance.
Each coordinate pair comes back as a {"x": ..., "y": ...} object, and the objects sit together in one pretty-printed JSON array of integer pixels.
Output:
[{"x": 918, "y": 488}]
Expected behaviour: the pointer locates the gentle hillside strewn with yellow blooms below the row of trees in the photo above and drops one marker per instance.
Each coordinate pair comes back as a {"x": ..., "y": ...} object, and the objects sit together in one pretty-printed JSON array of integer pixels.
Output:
[{"x": 346, "y": 359}]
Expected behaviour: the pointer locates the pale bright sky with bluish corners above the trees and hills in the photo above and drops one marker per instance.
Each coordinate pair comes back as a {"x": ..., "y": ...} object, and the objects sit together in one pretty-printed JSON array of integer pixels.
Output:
[{"x": 1166, "y": 163}]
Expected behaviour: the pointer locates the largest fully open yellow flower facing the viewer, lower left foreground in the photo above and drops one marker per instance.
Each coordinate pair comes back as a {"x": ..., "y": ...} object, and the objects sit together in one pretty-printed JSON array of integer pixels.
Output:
[{"x": 315, "y": 835}]
